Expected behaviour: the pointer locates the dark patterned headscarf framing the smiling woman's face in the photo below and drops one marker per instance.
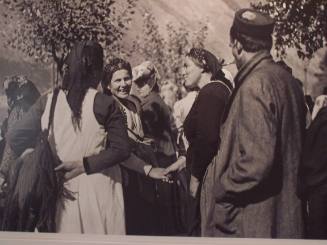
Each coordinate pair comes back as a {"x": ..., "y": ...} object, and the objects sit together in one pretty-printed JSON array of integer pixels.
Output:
[{"x": 114, "y": 65}]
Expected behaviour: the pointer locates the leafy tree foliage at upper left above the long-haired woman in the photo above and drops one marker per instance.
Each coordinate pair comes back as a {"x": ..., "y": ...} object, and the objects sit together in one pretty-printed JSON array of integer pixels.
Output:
[{"x": 45, "y": 29}]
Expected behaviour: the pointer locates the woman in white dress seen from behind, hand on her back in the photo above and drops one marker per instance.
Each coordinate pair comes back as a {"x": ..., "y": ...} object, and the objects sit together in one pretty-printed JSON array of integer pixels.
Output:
[{"x": 89, "y": 136}]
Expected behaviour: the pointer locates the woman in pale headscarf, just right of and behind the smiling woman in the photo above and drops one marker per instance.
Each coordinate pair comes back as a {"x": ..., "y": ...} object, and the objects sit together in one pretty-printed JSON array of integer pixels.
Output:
[{"x": 158, "y": 124}]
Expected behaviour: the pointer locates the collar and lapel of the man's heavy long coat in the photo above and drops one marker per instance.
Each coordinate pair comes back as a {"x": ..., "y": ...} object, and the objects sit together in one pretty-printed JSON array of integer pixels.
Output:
[{"x": 244, "y": 71}]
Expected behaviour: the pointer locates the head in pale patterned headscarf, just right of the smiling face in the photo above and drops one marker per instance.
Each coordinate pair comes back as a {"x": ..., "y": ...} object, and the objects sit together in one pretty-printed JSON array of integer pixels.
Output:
[{"x": 145, "y": 78}]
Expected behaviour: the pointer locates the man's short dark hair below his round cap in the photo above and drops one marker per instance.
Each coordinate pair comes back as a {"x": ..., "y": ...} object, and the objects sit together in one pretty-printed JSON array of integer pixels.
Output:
[{"x": 251, "y": 44}]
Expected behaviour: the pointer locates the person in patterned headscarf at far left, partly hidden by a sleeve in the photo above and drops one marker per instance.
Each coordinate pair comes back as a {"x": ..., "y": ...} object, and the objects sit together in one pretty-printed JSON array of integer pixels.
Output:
[{"x": 21, "y": 94}]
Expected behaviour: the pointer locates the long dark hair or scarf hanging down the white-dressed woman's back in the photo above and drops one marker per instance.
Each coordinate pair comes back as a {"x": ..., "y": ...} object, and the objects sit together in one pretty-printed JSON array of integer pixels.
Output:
[{"x": 84, "y": 69}]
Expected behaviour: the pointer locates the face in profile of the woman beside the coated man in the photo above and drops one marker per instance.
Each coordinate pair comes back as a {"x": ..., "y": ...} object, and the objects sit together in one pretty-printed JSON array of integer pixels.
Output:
[{"x": 191, "y": 73}]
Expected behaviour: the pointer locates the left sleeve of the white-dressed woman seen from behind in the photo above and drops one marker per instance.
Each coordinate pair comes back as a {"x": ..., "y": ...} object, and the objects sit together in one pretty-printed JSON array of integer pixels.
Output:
[{"x": 24, "y": 133}]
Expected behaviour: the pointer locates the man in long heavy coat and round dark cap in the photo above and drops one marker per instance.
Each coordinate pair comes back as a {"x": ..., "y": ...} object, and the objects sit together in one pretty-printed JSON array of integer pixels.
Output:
[{"x": 249, "y": 188}]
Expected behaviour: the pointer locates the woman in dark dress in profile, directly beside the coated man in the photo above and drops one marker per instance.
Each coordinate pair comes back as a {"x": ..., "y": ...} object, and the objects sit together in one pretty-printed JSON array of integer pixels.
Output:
[{"x": 201, "y": 126}]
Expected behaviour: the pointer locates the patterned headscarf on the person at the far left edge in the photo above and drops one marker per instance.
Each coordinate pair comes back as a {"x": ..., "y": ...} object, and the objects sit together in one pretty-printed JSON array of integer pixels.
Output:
[{"x": 20, "y": 91}]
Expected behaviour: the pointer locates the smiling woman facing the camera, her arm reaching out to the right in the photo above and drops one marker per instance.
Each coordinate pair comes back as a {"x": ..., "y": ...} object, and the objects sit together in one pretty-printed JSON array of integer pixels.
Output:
[{"x": 139, "y": 190}]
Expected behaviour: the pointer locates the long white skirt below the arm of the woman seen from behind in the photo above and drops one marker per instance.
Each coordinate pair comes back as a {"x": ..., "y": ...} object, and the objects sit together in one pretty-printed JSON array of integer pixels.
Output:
[{"x": 98, "y": 207}]
